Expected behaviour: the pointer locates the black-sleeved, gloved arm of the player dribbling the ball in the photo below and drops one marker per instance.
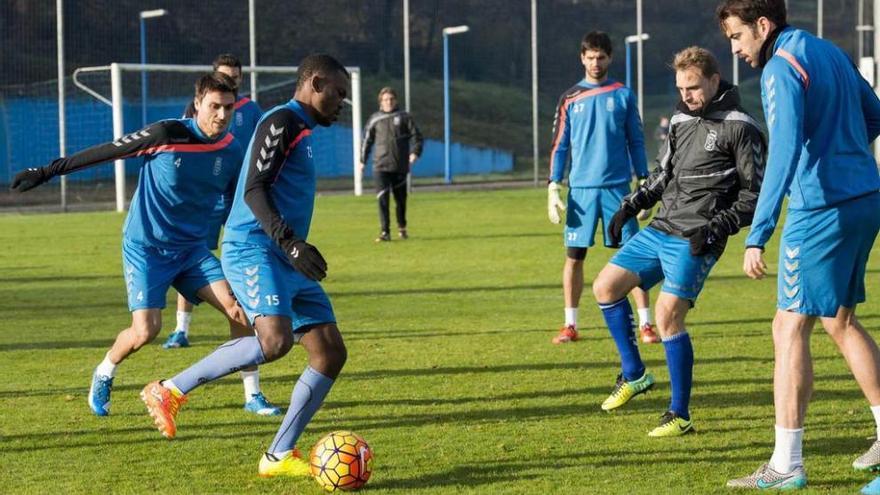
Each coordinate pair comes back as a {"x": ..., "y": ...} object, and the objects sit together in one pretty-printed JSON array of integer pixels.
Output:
[{"x": 273, "y": 140}]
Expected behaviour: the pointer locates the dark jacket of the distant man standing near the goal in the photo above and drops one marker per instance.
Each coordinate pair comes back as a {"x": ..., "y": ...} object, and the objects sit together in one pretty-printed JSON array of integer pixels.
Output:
[{"x": 395, "y": 135}]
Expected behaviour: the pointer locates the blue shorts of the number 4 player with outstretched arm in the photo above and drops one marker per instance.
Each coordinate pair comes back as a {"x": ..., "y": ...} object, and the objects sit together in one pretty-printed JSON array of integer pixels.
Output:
[{"x": 150, "y": 271}]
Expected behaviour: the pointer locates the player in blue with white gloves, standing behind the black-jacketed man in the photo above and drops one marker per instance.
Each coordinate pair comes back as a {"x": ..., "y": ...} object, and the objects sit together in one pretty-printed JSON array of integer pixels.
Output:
[{"x": 597, "y": 123}]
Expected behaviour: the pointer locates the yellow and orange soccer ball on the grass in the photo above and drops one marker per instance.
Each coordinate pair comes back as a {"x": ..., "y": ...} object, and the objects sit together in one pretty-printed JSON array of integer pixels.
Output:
[{"x": 341, "y": 460}]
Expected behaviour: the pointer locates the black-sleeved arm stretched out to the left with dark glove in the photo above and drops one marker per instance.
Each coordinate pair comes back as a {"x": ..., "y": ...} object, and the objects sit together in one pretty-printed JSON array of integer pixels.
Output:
[{"x": 138, "y": 143}]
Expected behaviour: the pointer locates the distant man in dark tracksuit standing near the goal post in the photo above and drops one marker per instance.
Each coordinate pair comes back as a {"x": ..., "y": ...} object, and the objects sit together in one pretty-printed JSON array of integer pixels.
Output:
[{"x": 398, "y": 146}]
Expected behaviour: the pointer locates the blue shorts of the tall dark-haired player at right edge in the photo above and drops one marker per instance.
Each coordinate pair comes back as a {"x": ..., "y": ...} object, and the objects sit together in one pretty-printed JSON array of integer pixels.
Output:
[{"x": 823, "y": 254}]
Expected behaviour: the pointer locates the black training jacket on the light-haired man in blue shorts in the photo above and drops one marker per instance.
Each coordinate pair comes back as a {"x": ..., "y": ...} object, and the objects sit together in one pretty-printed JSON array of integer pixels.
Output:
[{"x": 708, "y": 170}]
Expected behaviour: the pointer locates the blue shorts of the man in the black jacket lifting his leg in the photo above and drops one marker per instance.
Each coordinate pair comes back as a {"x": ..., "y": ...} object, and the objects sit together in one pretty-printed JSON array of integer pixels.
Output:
[{"x": 655, "y": 255}]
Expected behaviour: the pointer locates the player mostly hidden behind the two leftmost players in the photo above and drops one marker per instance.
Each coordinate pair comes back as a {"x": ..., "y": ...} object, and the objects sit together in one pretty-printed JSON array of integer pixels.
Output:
[{"x": 244, "y": 121}]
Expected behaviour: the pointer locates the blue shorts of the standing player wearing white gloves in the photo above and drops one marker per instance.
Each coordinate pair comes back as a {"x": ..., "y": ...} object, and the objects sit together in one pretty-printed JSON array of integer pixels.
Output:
[{"x": 586, "y": 206}]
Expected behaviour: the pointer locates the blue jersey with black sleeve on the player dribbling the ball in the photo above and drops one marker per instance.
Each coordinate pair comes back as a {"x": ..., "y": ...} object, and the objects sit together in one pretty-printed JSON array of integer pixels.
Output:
[{"x": 275, "y": 196}]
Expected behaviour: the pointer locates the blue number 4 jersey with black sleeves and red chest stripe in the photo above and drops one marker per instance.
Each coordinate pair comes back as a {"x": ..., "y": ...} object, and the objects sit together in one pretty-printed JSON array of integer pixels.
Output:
[{"x": 183, "y": 176}]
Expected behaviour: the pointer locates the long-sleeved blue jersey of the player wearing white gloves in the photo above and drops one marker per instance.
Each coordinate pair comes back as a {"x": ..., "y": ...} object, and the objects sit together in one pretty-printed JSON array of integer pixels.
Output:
[{"x": 599, "y": 126}]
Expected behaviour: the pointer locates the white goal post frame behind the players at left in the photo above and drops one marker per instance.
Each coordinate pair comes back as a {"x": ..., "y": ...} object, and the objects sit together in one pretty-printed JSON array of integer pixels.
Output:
[{"x": 116, "y": 100}]
